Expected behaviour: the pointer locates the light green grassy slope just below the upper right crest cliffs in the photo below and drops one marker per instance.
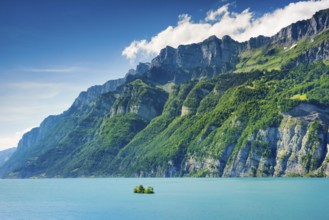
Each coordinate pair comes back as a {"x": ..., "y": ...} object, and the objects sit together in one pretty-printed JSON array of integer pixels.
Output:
[{"x": 279, "y": 57}]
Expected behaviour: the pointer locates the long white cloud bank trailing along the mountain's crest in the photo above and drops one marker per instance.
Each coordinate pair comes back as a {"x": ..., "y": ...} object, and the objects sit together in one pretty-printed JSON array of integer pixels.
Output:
[{"x": 222, "y": 21}]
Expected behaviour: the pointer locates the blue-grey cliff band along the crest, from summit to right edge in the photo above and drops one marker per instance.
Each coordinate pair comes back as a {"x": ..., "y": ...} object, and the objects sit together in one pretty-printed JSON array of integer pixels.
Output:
[{"x": 224, "y": 52}]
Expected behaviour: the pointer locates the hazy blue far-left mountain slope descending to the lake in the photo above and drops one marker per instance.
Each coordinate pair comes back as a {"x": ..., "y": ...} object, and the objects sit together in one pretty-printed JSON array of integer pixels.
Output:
[{"x": 55, "y": 129}]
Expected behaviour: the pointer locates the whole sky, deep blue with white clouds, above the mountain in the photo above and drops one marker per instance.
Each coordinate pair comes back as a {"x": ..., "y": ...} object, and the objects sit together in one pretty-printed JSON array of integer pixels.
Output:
[{"x": 51, "y": 50}]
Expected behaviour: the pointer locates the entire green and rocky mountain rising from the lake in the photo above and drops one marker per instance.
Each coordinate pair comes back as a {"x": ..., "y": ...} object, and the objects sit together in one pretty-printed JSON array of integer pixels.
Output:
[{"x": 215, "y": 108}]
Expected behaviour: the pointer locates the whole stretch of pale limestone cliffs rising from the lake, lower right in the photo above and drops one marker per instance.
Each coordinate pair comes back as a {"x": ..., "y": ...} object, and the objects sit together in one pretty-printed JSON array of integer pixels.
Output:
[{"x": 297, "y": 148}]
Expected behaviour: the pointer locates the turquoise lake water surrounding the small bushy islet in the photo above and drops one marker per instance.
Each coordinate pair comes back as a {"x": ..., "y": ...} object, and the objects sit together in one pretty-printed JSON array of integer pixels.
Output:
[{"x": 181, "y": 198}]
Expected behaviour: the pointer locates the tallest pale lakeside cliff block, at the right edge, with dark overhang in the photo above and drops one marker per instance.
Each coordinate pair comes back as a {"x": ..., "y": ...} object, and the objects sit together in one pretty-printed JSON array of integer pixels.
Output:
[{"x": 303, "y": 139}]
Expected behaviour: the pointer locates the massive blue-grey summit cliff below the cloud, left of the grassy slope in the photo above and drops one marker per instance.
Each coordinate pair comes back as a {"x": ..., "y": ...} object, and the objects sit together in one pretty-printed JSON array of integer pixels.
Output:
[{"x": 209, "y": 58}]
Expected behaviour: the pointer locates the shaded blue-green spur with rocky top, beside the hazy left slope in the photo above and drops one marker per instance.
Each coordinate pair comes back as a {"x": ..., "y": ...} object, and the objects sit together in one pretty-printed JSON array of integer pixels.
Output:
[{"x": 128, "y": 117}]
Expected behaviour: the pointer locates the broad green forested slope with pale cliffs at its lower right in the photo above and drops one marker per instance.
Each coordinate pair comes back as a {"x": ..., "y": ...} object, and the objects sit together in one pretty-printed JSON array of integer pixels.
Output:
[{"x": 242, "y": 131}]
